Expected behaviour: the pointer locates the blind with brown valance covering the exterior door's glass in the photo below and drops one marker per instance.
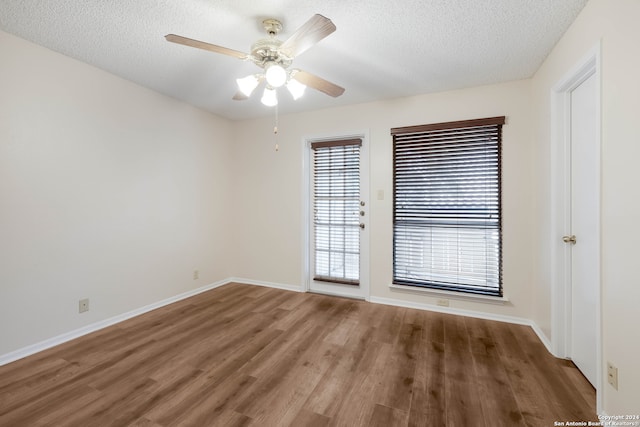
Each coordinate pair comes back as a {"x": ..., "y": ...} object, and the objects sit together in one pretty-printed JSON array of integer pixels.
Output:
[{"x": 336, "y": 209}]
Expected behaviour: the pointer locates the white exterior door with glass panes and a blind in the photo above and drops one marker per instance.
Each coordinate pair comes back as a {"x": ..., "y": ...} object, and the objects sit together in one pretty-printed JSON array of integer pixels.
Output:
[{"x": 338, "y": 214}]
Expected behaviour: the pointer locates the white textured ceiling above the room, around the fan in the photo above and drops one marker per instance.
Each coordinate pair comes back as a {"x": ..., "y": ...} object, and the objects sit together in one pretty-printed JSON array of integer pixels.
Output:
[{"x": 380, "y": 49}]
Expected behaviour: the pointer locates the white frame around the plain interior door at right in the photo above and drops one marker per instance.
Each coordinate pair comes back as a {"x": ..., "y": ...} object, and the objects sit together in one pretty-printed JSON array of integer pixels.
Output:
[{"x": 560, "y": 191}]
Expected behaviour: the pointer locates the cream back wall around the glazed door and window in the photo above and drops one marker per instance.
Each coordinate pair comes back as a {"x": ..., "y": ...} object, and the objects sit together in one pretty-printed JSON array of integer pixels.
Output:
[{"x": 269, "y": 186}]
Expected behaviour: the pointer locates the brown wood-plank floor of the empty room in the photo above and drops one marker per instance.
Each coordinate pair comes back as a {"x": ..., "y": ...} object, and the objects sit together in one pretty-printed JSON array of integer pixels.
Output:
[{"x": 242, "y": 355}]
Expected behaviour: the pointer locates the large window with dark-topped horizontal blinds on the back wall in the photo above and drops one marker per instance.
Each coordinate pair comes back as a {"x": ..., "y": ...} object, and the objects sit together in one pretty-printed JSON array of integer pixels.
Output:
[{"x": 446, "y": 206}]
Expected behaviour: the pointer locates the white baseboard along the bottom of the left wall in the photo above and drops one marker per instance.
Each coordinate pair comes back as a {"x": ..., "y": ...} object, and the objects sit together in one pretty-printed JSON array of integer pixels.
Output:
[{"x": 68, "y": 336}]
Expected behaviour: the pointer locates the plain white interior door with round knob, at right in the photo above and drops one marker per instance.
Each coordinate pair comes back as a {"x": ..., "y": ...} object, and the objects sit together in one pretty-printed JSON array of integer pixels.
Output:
[{"x": 584, "y": 226}]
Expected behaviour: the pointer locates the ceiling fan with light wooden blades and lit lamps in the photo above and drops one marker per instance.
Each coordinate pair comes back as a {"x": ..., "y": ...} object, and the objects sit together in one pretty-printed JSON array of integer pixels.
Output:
[{"x": 274, "y": 57}]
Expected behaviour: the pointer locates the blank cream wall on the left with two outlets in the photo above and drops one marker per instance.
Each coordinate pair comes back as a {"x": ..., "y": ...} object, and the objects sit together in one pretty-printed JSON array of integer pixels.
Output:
[{"x": 108, "y": 191}]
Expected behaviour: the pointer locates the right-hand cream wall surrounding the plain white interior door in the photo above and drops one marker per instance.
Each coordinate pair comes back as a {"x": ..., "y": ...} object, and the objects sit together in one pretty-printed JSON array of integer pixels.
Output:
[{"x": 615, "y": 24}]
